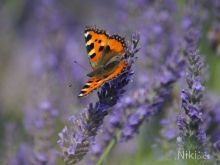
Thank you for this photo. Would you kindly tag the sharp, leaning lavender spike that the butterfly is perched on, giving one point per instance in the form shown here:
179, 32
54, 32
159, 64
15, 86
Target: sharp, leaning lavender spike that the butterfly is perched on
84, 130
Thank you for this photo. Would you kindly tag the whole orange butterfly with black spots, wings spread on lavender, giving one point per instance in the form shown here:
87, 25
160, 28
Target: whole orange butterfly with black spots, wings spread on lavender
105, 54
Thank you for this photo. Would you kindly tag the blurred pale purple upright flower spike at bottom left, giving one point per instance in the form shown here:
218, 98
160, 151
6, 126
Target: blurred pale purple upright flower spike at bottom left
41, 128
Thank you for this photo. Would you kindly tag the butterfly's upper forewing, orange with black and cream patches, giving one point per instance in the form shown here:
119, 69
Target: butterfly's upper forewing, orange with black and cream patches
96, 40
